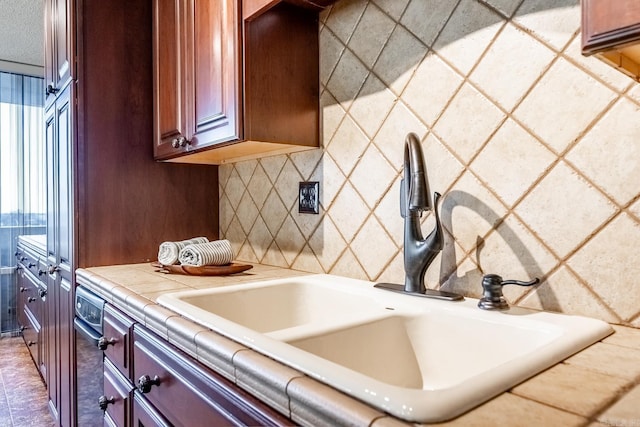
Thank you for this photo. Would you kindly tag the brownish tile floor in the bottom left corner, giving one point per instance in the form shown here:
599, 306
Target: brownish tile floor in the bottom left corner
23, 396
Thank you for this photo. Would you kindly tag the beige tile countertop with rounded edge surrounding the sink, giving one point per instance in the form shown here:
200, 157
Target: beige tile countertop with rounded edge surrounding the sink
599, 386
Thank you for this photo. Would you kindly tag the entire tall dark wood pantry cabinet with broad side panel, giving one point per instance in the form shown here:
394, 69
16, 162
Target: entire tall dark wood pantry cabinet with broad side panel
108, 201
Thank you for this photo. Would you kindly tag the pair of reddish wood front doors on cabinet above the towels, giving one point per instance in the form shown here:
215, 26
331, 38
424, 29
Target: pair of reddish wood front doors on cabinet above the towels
196, 74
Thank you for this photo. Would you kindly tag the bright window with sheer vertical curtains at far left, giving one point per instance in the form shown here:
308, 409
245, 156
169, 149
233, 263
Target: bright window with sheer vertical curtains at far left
22, 176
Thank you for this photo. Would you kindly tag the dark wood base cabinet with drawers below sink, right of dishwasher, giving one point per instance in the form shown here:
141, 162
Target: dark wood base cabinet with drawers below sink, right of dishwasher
162, 386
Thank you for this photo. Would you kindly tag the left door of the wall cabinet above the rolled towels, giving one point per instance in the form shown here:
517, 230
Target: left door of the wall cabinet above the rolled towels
169, 93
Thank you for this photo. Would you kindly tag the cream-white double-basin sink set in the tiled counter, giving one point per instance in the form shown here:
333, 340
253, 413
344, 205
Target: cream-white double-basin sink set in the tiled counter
419, 359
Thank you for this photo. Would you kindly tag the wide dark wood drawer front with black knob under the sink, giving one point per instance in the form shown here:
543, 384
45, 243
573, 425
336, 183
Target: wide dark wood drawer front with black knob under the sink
186, 393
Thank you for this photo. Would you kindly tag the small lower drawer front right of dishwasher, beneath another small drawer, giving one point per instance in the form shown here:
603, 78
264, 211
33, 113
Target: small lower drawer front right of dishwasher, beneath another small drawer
117, 392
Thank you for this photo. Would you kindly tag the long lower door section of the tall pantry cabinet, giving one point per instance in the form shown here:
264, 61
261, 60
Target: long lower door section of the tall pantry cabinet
59, 333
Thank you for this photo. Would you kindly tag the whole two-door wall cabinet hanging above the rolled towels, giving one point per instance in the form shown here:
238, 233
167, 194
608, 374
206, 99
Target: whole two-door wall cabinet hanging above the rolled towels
230, 86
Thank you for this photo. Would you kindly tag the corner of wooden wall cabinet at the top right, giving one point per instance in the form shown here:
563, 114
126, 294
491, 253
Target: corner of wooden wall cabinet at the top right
611, 31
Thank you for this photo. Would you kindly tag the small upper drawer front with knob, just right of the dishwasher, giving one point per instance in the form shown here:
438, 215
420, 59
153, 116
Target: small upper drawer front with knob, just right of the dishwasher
117, 337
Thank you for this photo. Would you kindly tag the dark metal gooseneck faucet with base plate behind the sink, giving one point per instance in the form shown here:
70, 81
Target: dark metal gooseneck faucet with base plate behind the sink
419, 252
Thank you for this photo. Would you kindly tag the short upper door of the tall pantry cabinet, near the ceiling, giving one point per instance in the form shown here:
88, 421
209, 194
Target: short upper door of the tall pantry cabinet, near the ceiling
59, 48
